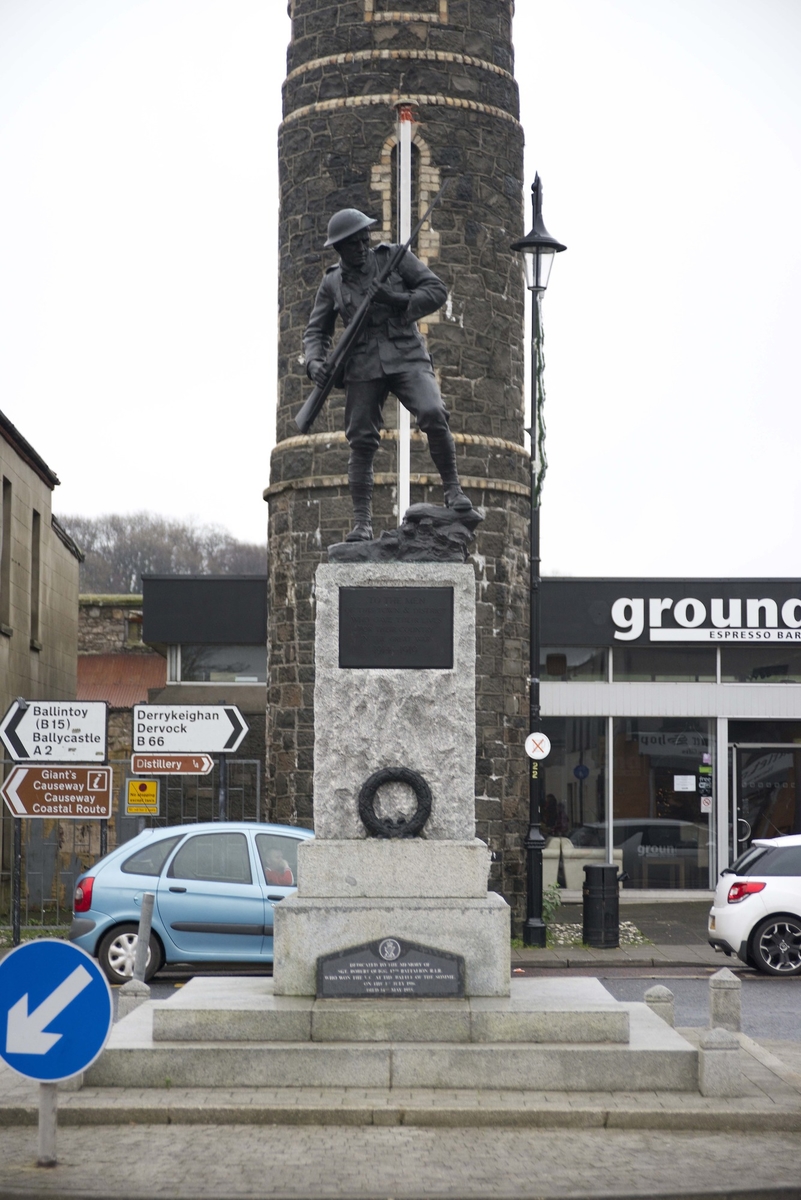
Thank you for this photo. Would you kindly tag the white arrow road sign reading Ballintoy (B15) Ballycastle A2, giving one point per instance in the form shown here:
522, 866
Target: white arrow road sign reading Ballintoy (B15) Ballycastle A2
59, 730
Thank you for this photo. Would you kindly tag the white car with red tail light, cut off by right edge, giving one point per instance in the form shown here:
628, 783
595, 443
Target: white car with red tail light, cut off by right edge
757, 908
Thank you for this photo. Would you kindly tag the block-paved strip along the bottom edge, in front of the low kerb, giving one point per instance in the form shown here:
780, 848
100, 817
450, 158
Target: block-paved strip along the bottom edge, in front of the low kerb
400, 1165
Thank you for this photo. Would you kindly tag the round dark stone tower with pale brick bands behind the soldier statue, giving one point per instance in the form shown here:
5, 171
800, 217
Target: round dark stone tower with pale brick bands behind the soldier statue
351, 64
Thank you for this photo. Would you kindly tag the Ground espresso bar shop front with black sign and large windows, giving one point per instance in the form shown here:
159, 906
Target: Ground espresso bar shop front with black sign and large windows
674, 715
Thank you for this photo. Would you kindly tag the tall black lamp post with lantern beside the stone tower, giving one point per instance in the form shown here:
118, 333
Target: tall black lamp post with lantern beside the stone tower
539, 249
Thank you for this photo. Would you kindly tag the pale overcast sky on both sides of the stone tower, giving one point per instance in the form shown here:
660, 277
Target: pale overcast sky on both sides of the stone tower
138, 280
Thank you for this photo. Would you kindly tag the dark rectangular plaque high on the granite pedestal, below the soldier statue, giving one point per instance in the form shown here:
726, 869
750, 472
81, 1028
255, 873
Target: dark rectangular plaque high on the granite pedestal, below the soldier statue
406, 628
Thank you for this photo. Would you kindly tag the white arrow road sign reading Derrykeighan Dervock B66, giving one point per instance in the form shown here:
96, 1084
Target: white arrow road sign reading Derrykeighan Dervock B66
188, 729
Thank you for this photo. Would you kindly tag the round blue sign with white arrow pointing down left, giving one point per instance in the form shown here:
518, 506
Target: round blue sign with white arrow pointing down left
56, 1011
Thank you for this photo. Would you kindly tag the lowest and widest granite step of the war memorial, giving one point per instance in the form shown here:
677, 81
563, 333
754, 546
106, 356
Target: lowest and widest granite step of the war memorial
655, 1059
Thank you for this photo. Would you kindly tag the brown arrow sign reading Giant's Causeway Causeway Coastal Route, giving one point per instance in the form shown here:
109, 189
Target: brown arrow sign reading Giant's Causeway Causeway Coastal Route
73, 794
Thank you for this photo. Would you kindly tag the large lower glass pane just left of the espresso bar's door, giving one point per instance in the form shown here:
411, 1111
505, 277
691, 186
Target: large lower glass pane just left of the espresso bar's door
664, 800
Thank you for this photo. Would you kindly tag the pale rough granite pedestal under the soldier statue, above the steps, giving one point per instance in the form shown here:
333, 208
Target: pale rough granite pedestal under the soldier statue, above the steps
395, 862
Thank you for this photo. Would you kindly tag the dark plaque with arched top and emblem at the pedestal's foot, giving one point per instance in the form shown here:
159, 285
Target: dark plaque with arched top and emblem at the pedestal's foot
390, 968
